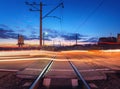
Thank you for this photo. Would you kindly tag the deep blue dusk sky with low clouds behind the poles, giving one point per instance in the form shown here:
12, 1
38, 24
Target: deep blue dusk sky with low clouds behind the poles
90, 19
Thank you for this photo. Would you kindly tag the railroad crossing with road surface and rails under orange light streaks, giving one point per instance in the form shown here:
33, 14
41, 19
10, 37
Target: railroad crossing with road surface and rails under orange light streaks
59, 69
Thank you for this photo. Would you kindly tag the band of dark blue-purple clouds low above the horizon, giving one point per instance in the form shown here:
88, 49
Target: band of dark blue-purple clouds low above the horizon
6, 33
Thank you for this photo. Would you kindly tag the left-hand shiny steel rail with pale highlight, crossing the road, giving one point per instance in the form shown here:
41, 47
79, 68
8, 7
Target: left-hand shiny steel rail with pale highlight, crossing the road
44, 71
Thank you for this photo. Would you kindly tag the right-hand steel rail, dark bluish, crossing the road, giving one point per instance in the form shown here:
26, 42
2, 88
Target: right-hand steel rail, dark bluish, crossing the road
80, 77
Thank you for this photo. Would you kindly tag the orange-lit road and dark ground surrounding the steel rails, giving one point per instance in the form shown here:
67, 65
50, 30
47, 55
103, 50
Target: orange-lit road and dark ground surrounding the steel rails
18, 69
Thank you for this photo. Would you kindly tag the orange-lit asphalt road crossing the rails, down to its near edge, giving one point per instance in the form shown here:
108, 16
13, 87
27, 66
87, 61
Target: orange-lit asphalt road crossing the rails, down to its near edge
93, 65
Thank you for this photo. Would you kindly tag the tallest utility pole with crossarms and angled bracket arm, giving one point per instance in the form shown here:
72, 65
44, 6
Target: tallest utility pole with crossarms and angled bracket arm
34, 4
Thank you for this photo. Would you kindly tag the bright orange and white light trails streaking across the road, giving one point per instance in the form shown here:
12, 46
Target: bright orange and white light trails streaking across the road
15, 57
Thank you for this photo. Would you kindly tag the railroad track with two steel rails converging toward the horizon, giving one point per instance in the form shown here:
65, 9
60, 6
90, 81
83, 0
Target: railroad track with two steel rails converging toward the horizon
38, 83
